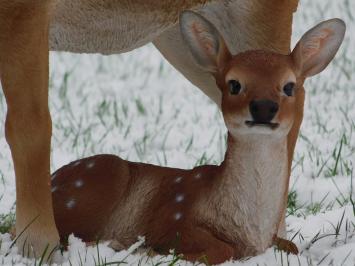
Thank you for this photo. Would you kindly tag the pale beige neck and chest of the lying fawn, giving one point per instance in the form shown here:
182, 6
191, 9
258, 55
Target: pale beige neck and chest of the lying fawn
251, 185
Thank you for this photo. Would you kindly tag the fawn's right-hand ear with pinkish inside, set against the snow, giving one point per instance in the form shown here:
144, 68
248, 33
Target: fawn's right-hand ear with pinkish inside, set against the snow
318, 47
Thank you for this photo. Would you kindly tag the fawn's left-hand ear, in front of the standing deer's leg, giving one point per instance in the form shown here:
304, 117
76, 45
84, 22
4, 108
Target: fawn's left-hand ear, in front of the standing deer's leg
205, 42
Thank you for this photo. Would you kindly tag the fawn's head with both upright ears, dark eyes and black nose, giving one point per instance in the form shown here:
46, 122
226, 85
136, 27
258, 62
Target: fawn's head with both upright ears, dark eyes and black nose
260, 88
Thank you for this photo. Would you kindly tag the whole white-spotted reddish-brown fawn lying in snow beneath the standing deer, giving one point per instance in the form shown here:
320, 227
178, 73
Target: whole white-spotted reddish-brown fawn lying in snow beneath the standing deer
218, 212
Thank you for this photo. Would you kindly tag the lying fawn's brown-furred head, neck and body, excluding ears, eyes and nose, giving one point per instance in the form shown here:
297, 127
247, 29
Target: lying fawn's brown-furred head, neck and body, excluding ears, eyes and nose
212, 212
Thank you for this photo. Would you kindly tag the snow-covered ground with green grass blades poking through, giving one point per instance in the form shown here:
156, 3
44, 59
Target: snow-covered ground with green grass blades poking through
137, 106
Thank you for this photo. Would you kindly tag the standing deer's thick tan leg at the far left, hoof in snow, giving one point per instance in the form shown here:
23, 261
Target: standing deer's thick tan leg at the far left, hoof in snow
24, 78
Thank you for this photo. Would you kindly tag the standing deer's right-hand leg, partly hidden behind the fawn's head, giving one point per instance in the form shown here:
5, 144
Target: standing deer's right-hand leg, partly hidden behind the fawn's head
256, 25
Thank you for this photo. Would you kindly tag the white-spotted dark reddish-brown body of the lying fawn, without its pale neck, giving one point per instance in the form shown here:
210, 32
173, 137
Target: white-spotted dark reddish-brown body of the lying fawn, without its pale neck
92, 219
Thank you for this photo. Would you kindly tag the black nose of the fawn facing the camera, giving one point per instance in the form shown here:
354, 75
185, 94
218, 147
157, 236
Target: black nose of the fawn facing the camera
263, 111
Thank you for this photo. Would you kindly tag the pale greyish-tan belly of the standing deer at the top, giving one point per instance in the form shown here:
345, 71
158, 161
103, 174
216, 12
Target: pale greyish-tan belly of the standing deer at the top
112, 26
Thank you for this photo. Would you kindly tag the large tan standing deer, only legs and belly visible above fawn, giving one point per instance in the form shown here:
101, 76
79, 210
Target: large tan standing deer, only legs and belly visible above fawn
110, 26
